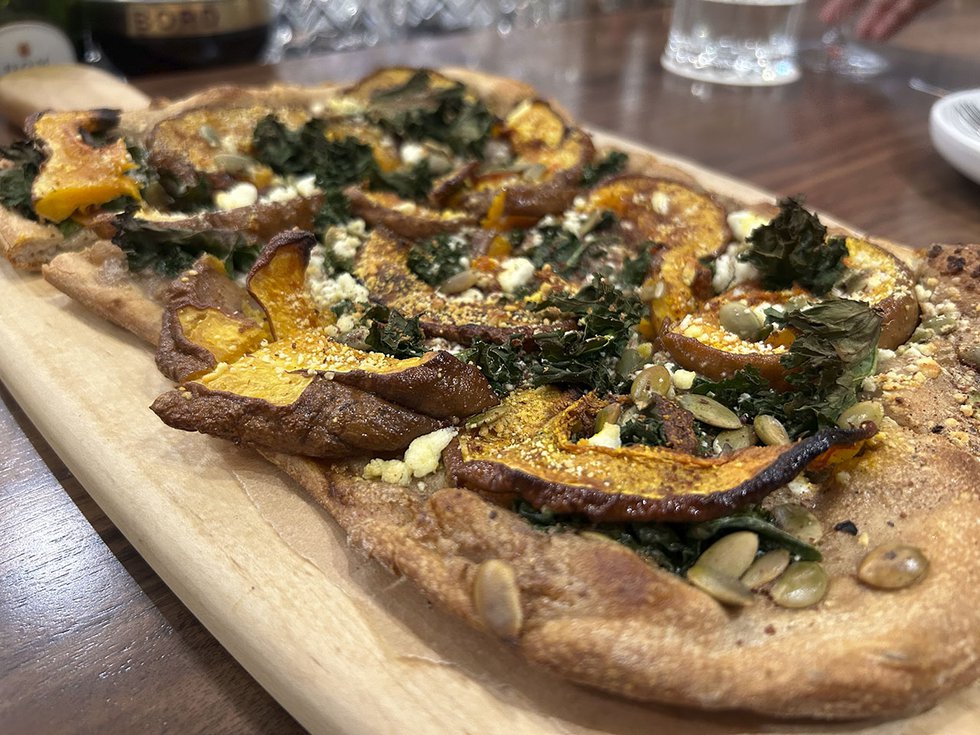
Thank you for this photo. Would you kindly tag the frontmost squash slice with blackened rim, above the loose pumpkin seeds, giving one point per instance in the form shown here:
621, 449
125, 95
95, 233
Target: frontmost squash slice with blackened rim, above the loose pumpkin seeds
530, 451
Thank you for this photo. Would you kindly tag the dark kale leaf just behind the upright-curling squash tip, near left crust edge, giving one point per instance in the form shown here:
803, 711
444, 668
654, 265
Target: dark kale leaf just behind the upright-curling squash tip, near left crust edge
168, 251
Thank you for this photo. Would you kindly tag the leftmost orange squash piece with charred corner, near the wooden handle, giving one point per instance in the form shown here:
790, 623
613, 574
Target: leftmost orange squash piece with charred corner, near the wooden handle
79, 173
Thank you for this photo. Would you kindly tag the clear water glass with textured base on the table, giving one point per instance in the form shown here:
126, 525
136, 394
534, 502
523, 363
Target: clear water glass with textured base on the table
744, 42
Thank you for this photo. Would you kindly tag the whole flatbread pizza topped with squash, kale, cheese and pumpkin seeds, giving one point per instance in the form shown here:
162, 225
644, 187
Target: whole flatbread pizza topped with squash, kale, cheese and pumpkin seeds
673, 446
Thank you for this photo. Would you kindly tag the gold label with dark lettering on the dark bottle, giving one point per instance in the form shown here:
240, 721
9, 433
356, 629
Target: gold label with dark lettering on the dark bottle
188, 19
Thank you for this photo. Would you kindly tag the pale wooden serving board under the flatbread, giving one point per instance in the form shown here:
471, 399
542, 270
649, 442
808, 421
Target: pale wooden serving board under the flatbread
340, 642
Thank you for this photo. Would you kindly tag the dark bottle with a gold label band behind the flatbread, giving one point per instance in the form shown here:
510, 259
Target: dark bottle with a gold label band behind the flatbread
153, 36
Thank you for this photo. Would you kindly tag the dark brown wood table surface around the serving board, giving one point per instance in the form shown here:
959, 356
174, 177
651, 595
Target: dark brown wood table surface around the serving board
92, 640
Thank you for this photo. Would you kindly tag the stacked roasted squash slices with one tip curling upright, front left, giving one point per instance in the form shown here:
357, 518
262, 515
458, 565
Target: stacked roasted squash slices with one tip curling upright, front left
300, 392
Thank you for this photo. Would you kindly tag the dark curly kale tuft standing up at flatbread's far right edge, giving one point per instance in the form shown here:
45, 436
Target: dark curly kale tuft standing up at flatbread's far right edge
794, 248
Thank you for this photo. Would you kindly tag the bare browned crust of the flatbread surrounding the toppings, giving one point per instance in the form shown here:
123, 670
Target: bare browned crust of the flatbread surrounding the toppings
590, 609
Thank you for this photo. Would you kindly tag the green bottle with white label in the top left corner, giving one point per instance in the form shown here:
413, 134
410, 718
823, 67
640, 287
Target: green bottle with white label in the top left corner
37, 32
